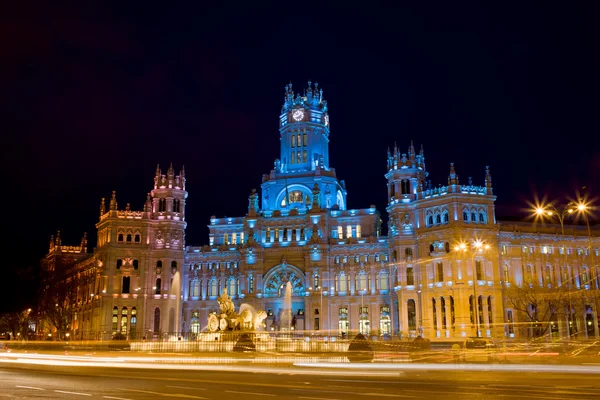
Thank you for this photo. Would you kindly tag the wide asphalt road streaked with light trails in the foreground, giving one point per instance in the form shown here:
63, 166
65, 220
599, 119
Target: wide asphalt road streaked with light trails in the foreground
221, 382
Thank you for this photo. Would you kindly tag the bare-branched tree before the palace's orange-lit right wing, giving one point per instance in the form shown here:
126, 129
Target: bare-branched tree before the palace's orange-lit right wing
538, 306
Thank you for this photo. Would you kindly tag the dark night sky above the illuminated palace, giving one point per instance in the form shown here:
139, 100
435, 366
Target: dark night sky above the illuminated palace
94, 98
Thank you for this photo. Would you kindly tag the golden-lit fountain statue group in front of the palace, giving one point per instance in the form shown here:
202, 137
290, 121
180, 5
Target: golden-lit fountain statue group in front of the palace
229, 320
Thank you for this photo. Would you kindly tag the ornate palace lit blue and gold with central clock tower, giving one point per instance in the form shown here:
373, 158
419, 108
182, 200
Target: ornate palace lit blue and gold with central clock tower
447, 268
